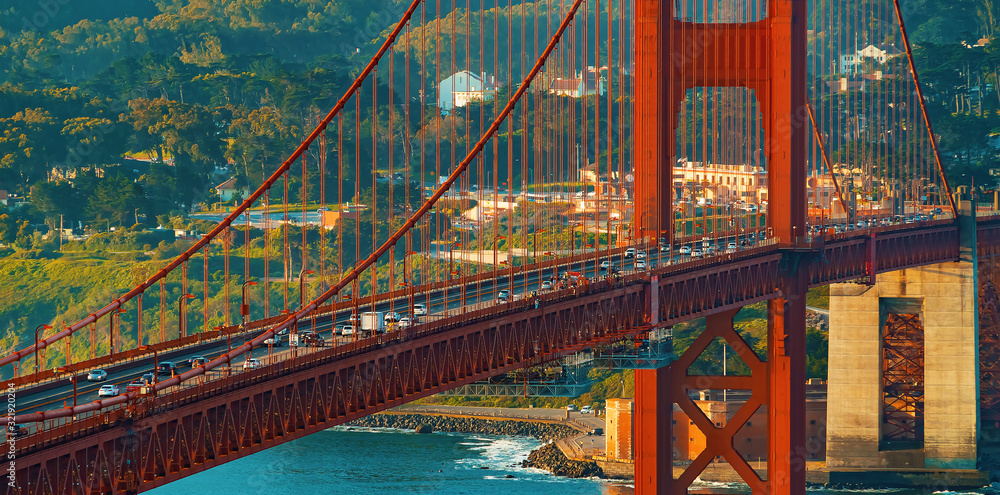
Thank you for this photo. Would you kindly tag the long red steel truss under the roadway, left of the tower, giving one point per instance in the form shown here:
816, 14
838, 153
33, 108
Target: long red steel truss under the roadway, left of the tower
188, 431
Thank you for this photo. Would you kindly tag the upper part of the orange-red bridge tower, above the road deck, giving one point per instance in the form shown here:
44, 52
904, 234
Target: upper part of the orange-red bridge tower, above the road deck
674, 55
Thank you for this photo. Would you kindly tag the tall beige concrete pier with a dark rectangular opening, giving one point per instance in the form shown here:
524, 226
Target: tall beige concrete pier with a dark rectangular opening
904, 372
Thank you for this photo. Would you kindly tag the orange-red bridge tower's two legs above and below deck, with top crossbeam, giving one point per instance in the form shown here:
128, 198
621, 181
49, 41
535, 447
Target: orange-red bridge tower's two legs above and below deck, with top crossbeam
675, 55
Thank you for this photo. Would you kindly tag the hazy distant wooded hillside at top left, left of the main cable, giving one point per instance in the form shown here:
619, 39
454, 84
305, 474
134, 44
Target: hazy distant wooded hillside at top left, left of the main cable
70, 41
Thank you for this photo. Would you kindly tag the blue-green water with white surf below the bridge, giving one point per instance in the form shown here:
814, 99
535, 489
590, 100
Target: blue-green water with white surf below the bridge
360, 461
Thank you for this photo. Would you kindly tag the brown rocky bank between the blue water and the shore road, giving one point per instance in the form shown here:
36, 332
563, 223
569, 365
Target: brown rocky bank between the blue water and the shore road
547, 457
